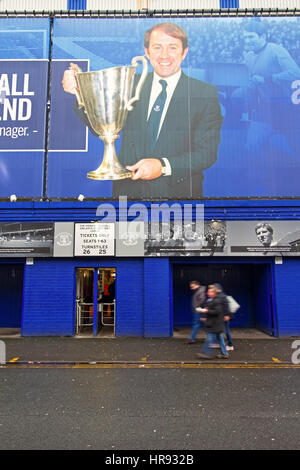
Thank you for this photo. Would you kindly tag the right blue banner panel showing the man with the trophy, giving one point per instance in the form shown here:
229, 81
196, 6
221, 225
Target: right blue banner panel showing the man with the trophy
228, 126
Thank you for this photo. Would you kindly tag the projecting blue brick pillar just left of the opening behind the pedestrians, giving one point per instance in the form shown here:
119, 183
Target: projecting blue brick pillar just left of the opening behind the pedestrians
157, 297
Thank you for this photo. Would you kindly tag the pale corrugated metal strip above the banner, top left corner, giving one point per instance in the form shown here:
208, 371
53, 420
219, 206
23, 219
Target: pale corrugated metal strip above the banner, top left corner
30, 5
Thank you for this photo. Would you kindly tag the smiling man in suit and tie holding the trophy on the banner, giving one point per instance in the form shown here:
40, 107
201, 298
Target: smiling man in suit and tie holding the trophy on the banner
167, 157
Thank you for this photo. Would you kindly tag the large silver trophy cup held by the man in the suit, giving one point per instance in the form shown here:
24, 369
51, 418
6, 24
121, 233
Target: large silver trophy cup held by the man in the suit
107, 97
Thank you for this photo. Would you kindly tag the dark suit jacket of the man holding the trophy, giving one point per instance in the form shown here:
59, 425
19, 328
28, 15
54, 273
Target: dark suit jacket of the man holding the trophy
189, 138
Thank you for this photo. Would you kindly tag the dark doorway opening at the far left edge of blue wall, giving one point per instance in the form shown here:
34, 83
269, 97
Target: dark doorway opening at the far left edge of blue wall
11, 293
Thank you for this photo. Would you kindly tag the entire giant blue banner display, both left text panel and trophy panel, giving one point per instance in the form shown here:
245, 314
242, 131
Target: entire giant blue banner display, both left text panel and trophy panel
150, 108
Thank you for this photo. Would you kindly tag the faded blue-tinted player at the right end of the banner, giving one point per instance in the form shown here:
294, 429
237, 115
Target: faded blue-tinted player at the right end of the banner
266, 100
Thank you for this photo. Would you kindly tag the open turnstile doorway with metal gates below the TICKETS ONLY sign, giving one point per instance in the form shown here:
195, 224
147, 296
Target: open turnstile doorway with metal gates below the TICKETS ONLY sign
95, 301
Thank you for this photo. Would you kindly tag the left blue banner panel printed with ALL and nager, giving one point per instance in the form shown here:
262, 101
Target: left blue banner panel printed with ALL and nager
23, 99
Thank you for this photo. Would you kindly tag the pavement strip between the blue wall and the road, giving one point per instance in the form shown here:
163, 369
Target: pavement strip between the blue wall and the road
250, 347
